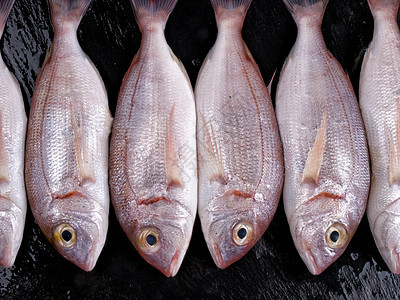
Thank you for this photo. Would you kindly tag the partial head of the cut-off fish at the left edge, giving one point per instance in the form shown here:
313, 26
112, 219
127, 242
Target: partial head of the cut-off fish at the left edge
12, 220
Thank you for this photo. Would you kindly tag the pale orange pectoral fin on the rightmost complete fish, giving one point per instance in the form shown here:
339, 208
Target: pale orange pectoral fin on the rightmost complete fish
316, 154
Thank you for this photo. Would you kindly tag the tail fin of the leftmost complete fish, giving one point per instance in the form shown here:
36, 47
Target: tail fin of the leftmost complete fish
72, 10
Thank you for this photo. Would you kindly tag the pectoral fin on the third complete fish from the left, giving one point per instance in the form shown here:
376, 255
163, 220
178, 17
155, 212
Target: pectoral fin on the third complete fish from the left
215, 164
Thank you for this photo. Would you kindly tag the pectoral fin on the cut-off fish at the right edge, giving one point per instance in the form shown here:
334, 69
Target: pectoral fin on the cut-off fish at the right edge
394, 159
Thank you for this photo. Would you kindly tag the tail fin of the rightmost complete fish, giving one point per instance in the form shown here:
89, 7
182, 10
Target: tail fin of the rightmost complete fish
307, 8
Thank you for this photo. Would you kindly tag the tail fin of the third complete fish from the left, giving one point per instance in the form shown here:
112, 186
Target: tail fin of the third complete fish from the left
228, 9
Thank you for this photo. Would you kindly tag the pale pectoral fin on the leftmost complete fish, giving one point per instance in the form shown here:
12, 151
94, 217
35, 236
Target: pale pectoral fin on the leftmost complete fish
83, 158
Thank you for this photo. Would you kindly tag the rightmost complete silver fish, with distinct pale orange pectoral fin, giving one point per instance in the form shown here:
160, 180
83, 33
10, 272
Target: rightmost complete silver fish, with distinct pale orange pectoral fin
325, 150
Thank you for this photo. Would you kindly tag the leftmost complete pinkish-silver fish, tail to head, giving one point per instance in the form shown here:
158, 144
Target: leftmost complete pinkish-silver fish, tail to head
67, 144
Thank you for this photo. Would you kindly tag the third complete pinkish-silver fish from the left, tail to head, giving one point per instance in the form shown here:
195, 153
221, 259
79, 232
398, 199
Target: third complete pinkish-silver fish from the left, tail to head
240, 153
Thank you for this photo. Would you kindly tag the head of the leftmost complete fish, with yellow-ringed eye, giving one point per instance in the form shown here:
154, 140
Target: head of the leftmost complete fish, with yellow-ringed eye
77, 227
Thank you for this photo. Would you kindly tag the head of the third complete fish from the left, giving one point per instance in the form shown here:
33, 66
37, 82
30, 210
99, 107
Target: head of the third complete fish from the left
233, 224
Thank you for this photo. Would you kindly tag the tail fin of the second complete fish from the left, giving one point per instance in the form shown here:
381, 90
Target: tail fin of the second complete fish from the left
149, 11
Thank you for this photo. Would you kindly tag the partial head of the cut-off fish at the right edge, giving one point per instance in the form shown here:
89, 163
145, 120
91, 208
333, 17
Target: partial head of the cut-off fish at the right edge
386, 230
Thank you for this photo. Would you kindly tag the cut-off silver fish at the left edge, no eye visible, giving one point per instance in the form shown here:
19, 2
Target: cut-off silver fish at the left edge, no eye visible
12, 149
